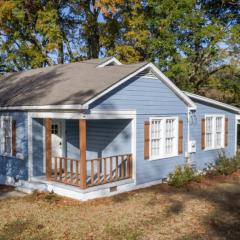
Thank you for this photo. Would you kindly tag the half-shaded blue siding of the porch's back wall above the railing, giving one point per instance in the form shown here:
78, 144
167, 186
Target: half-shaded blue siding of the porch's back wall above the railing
104, 138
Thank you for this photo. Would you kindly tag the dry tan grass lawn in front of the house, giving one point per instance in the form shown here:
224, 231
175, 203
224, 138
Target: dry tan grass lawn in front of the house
209, 210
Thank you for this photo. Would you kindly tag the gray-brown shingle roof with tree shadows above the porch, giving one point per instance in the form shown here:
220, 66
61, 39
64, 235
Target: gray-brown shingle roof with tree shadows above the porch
73, 83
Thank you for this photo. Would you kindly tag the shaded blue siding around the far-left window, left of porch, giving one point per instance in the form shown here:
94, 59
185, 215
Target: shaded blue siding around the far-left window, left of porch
11, 166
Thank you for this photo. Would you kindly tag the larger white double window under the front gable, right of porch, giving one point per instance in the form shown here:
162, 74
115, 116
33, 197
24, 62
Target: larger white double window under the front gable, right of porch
163, 137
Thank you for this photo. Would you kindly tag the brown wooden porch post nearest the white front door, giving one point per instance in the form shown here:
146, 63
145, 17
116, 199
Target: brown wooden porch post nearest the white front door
48, 146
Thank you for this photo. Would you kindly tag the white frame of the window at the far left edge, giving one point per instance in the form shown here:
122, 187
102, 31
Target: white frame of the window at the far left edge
2, 147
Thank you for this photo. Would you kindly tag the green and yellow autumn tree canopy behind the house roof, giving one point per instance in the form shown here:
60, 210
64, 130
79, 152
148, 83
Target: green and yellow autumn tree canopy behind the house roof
194, 42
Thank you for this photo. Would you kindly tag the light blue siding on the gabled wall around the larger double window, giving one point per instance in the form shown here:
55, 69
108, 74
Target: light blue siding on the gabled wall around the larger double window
149, 97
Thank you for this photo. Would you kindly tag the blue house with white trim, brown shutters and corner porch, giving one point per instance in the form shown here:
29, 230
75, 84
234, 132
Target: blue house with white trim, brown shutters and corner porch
99, 127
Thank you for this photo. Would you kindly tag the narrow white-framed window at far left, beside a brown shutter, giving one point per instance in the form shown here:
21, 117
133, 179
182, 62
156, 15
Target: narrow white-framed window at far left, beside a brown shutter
6, 135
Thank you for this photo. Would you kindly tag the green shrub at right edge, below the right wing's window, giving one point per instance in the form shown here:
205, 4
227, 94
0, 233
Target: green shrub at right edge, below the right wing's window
225, 165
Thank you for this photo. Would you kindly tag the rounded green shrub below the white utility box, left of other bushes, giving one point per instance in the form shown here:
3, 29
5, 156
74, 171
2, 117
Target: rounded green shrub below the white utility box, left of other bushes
182, 176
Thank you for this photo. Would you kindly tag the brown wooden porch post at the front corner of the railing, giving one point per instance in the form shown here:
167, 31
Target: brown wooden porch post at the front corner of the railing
83, 145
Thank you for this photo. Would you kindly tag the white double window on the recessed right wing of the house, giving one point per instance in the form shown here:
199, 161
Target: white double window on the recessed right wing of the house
214, 132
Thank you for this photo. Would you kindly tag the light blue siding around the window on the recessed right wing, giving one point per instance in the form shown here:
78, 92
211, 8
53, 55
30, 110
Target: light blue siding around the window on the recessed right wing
202, 158
